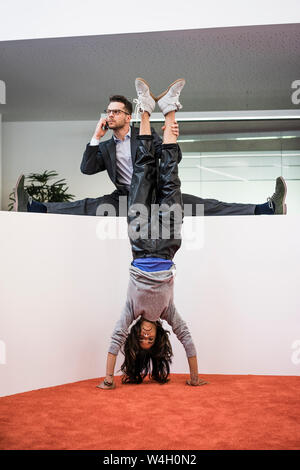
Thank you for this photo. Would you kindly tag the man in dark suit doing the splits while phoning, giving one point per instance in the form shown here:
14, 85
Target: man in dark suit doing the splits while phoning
117, 156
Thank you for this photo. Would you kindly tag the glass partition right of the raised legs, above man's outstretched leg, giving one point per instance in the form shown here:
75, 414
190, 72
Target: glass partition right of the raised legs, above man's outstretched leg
238, 161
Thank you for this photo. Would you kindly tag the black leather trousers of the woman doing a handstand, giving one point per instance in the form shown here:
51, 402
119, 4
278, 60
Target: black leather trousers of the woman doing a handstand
155, 231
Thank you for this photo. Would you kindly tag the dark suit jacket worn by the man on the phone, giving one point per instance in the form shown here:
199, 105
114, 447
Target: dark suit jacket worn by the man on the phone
103, 157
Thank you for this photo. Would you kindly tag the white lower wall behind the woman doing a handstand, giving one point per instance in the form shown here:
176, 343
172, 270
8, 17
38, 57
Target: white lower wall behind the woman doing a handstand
62, 290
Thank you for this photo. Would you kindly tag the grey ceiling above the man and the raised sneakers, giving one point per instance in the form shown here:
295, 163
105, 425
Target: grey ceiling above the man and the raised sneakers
225, 69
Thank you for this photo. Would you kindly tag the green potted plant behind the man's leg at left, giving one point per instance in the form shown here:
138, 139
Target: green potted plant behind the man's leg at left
39, 188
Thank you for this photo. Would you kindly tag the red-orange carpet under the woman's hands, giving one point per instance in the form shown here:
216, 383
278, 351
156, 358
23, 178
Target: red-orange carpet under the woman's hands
231, 412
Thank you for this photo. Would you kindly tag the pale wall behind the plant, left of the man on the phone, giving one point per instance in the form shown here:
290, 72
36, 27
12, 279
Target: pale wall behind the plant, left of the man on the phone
38, 146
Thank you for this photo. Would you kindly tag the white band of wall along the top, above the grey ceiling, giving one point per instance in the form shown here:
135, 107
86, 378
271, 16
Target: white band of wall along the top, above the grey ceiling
36, 19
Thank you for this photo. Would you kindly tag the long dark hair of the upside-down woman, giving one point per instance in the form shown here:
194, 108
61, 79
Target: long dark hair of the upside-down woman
138, 361
